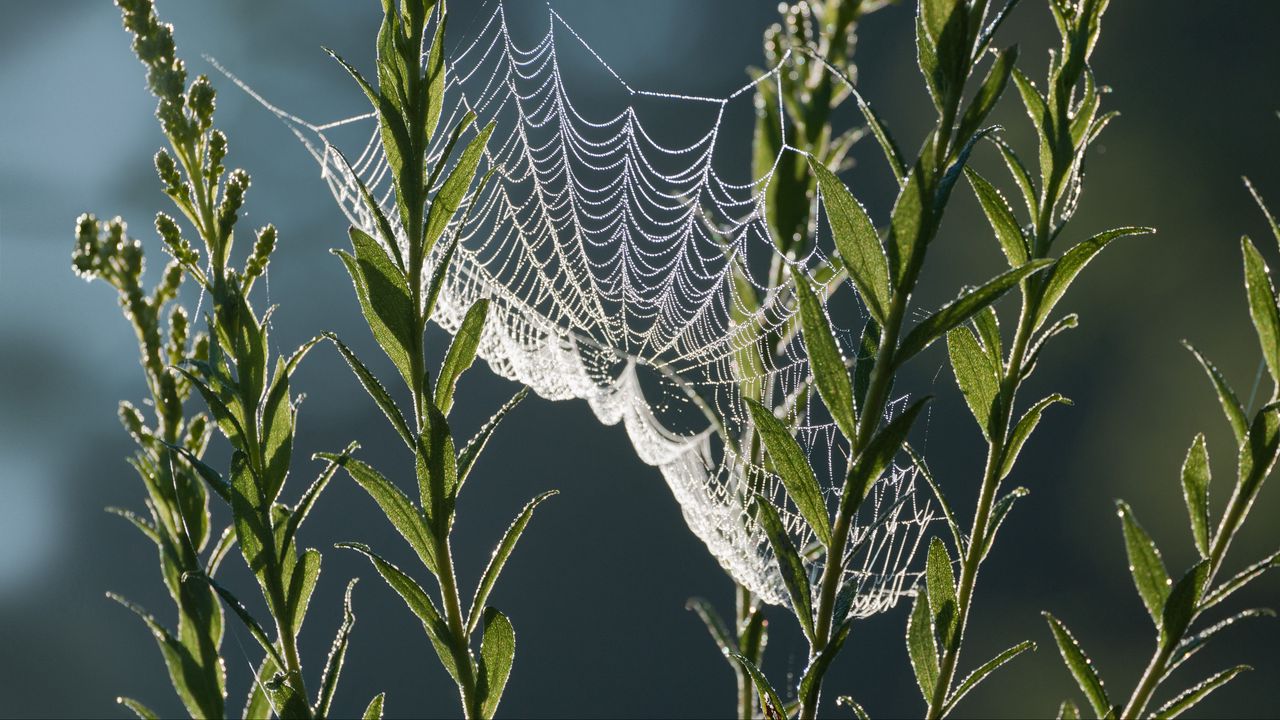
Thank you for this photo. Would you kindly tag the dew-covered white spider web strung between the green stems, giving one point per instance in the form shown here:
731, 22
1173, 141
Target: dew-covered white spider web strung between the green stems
625, 270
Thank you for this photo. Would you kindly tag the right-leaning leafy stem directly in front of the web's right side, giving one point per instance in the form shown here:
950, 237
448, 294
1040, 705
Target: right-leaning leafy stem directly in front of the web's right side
953, 39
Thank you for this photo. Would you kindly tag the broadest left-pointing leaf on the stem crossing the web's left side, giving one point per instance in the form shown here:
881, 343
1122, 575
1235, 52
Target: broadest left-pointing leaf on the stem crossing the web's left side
385, 299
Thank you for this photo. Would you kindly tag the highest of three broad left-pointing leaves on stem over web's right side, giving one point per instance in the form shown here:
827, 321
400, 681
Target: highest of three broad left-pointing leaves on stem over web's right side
857, 243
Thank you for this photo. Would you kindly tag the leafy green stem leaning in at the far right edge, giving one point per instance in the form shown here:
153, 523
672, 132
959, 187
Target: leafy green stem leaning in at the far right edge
1176, 608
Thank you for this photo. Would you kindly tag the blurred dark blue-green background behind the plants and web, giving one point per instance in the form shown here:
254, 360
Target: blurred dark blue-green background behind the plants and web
598, 587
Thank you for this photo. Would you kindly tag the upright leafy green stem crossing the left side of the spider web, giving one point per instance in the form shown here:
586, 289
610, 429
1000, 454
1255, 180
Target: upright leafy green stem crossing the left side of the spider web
399, 277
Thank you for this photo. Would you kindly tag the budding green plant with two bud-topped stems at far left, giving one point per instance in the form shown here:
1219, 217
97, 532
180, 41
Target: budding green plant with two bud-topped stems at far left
250, 404
